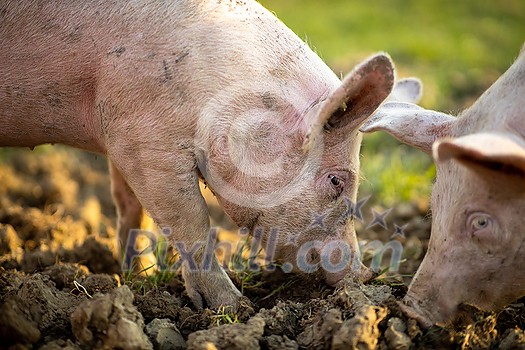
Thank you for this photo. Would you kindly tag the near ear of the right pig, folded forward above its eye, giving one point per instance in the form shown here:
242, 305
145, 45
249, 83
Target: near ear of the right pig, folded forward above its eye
502, 152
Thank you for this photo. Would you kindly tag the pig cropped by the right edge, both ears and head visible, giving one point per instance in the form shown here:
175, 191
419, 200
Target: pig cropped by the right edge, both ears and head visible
476, 252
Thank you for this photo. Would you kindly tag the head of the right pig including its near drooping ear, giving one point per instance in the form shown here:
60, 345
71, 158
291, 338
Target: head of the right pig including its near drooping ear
476, 250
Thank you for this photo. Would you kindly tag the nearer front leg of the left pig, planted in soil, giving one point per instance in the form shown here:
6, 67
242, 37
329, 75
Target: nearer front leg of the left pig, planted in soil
167, 185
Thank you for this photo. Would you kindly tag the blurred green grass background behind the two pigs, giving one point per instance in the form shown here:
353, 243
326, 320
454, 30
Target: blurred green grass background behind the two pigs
458, 48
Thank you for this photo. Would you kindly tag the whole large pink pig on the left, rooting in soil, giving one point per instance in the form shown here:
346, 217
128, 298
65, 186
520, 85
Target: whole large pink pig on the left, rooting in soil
177, 91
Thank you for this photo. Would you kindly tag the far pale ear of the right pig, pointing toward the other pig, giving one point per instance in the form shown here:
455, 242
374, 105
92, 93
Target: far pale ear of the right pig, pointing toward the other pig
410, 124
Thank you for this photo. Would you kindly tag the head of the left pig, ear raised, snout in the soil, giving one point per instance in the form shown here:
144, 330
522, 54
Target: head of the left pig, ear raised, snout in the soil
285, 164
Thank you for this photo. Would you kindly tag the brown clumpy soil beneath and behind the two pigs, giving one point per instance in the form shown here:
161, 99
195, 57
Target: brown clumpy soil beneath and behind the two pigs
61, 285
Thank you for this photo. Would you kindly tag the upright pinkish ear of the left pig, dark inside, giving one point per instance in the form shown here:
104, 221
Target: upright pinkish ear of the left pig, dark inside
360, 94
